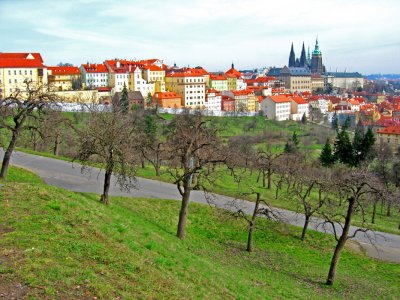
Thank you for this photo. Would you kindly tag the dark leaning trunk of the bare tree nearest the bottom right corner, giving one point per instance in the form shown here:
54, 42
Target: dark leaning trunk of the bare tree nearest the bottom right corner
342, 241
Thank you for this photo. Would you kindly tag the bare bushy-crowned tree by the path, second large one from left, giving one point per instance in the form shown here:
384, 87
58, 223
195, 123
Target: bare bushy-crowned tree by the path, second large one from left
108, 139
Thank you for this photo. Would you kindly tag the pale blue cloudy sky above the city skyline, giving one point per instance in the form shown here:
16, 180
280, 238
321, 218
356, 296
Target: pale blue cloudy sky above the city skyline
355, 35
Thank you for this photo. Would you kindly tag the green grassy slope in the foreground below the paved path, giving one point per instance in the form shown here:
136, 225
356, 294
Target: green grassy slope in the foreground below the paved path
68, 245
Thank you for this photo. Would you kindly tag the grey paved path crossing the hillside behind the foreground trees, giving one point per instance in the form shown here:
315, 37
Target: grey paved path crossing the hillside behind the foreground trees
66, 175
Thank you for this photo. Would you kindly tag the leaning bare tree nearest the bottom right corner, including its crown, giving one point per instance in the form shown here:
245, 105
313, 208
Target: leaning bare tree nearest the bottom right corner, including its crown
354, 185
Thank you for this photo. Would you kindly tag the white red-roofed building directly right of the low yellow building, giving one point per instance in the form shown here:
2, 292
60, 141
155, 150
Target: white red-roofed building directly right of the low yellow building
94, 75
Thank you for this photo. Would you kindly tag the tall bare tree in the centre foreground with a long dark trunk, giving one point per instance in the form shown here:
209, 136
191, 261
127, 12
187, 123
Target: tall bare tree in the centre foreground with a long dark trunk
192, 147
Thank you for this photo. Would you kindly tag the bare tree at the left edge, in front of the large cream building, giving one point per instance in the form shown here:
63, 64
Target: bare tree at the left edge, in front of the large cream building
19, 109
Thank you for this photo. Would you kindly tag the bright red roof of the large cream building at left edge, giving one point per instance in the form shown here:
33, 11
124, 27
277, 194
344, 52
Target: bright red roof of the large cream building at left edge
21, 60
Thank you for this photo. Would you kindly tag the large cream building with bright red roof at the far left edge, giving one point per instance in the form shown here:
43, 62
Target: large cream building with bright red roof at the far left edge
15, 68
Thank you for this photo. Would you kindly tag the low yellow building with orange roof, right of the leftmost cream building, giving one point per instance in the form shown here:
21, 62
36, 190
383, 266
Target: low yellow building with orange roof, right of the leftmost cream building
64, 78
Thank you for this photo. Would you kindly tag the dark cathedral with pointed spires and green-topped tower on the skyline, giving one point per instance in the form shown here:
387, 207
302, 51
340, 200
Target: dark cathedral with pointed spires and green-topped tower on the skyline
312, 63
